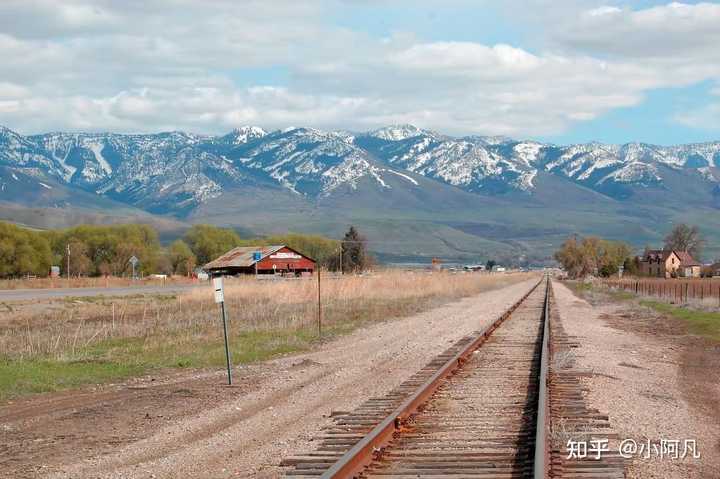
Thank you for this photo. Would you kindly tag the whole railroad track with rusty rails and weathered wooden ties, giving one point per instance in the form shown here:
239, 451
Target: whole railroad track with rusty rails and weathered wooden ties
483, 408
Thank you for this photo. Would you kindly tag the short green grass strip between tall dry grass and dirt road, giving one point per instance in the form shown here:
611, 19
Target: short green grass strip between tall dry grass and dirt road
121, 358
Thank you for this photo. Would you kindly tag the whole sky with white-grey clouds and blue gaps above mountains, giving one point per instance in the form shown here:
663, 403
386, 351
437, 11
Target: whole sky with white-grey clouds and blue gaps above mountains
555, 70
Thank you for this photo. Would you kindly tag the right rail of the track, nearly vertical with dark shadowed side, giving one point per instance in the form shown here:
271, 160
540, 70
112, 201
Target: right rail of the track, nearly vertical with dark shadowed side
542, 425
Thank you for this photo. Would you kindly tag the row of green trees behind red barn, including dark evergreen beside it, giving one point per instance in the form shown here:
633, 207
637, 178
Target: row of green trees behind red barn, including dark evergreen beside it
98, 250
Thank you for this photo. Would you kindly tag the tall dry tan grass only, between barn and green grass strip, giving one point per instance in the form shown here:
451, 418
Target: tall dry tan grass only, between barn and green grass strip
72, 326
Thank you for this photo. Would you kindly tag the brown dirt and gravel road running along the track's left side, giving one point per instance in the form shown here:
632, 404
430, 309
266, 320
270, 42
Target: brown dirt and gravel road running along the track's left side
192, 426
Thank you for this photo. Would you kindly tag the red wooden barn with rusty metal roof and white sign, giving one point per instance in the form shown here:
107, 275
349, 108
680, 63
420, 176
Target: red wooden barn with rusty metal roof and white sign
278, 259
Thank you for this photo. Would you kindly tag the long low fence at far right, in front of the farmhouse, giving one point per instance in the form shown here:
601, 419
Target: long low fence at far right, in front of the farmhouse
705, 291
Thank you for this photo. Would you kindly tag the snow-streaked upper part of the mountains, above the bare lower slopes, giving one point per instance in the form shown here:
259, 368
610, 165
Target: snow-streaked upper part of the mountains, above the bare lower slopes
176, 171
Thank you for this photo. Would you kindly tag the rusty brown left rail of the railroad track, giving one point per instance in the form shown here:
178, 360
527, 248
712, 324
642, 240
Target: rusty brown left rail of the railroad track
363, 452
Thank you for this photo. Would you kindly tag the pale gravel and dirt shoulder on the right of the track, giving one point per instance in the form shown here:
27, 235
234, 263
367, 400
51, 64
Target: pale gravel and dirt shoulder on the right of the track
654, 380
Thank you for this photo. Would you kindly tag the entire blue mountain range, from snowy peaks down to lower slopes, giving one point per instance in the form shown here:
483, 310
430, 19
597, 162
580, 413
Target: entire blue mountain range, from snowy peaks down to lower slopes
399, 173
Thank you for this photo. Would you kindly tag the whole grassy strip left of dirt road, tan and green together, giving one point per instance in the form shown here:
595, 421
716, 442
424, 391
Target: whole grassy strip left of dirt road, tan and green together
107, 337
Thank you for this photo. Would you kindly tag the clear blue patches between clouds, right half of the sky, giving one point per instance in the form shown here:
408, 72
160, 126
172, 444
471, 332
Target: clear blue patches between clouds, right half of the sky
653, 119
